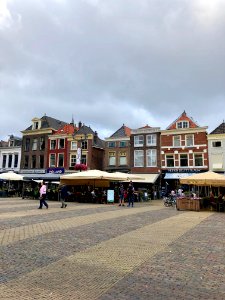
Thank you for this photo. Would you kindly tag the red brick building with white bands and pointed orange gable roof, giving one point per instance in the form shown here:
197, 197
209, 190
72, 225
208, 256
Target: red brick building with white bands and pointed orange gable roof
184, 150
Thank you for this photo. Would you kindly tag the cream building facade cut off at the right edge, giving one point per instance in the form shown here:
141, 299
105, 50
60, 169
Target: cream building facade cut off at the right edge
216, 146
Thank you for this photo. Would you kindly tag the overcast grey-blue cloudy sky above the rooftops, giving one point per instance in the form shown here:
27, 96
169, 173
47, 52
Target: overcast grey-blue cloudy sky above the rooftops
109, 62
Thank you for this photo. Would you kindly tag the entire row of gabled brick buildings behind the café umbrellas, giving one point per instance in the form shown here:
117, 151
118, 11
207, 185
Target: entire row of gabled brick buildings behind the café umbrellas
49, 147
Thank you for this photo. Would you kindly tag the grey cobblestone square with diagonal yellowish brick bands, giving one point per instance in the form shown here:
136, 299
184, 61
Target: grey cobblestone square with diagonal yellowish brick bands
89, 251
